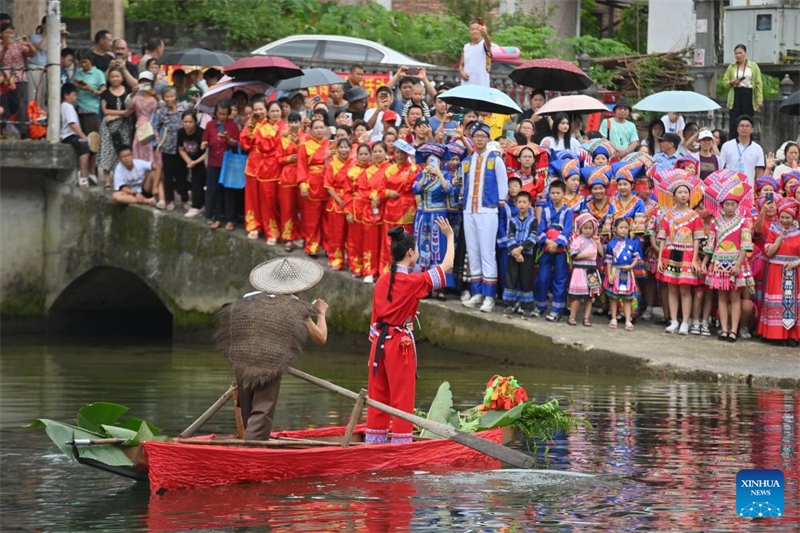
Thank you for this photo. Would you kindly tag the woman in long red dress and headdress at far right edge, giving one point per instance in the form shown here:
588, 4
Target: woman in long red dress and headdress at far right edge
780, 313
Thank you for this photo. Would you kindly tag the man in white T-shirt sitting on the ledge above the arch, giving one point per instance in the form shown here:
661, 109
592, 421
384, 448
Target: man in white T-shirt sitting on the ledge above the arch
137, 181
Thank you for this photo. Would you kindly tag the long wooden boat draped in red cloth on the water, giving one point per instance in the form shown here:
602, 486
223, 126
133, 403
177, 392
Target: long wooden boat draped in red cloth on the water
202, 463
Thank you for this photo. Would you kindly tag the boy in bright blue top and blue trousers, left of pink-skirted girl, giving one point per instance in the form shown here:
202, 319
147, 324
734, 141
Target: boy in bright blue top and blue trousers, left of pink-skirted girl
555, 228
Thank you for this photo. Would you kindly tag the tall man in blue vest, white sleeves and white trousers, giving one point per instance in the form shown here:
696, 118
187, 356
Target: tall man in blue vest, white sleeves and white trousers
485, 190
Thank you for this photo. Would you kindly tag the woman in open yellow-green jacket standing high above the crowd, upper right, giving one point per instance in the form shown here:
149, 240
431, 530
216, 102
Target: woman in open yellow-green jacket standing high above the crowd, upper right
746, 95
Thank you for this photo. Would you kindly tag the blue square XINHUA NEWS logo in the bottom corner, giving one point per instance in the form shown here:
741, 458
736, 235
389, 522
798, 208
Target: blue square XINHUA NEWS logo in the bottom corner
759, 493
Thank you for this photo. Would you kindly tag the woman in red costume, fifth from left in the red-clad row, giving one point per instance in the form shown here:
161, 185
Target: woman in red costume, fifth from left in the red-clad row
338, 185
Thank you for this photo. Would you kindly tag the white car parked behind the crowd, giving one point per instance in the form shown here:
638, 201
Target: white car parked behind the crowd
336, 48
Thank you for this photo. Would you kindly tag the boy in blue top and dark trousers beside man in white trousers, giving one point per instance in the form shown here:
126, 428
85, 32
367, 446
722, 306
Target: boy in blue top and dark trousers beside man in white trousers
518, 291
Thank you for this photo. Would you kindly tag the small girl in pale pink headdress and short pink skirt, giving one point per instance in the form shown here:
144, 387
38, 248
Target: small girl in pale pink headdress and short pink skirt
585, 282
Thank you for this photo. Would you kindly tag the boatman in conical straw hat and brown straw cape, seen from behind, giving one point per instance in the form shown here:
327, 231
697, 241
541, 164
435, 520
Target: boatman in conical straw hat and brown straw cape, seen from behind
261, 334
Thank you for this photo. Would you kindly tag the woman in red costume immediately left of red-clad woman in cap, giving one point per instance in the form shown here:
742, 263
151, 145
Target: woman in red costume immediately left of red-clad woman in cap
369, 187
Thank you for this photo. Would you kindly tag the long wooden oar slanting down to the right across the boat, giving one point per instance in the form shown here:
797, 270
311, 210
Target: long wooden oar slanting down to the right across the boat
492, 449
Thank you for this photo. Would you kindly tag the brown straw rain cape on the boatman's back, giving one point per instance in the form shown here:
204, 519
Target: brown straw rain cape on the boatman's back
261, 335
